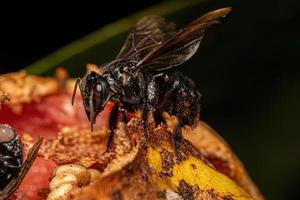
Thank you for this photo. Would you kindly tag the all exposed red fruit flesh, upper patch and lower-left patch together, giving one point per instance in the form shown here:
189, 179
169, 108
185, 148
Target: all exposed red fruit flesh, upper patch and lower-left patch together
46, 118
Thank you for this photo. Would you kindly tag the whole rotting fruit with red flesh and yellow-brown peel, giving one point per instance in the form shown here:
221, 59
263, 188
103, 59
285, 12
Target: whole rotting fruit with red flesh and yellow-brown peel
40, 106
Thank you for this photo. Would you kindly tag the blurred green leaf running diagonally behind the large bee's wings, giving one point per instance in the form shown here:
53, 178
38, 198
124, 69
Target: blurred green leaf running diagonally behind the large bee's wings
103, 44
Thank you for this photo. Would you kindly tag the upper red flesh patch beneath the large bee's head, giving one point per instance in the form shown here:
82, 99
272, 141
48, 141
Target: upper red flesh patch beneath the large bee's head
47, 117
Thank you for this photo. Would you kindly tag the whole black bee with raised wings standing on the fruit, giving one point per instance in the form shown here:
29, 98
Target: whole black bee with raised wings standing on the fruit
142, 77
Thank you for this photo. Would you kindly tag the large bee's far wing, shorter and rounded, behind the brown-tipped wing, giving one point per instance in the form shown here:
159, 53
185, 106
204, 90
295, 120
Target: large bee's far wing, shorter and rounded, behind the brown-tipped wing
148, 33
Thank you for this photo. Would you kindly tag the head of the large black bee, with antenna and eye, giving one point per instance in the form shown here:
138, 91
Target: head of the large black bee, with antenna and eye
95, 93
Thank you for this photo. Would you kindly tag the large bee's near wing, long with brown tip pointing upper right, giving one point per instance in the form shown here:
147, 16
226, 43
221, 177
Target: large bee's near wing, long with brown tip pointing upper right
181, 46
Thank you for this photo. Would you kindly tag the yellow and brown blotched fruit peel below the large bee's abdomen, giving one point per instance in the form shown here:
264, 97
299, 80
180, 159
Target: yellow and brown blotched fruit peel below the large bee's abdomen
156, 169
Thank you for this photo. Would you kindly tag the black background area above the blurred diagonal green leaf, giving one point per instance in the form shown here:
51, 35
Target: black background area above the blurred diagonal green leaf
30, 32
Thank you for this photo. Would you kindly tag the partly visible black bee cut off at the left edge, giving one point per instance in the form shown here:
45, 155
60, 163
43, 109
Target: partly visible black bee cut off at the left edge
12, 167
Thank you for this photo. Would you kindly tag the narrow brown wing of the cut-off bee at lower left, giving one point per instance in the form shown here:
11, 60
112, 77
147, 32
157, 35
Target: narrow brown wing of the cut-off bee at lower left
8, 191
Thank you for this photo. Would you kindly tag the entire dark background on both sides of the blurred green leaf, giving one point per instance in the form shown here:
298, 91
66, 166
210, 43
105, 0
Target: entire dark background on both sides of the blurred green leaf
246, 69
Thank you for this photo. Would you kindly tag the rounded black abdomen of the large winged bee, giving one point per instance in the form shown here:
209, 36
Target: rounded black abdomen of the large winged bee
176, 94
